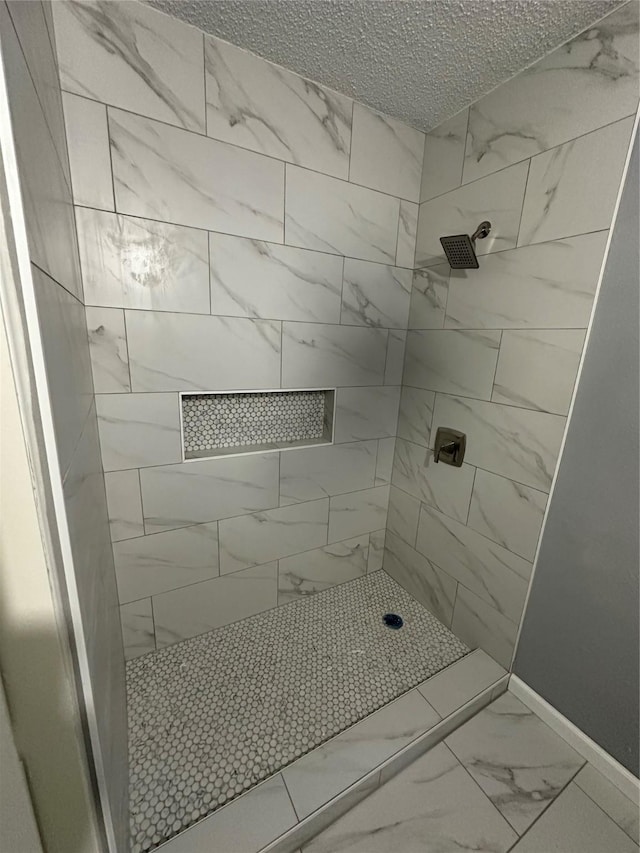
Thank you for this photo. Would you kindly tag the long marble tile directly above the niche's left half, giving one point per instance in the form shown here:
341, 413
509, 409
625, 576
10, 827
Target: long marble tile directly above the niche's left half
170, 352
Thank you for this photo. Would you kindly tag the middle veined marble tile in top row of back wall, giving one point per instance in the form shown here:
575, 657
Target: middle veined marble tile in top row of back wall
255, 104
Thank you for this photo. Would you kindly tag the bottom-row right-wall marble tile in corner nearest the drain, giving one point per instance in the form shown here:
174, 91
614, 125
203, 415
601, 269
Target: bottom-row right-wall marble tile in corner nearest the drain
433, 588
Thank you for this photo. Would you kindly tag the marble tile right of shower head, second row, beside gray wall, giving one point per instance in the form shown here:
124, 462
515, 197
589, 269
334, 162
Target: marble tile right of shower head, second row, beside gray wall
572, 189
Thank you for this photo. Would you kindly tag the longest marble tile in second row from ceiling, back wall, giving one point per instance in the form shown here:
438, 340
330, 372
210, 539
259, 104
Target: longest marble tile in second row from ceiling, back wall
161, 172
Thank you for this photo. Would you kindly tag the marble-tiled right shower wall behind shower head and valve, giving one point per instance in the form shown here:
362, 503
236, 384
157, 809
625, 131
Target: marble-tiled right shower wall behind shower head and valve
494, 352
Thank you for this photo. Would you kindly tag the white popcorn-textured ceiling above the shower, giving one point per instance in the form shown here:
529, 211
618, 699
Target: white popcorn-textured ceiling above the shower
418, 60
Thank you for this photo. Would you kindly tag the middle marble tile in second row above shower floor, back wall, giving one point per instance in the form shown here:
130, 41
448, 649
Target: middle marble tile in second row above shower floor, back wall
252, 539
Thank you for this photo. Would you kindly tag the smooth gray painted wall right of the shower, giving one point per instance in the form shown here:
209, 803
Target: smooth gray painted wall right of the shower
579, 643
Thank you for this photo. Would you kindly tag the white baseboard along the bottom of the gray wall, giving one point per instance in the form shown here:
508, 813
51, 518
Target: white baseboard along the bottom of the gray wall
588, 749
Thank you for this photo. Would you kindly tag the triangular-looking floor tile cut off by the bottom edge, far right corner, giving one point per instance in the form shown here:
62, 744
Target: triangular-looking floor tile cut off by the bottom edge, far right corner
575, 824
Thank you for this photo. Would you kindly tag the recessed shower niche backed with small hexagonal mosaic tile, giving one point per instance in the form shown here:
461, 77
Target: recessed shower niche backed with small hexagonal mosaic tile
233, 422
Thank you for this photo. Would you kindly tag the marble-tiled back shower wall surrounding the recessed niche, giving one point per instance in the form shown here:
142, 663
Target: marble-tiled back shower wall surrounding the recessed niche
240, 228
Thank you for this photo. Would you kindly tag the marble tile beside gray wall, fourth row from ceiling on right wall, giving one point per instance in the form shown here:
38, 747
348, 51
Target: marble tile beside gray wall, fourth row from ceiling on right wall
538, 369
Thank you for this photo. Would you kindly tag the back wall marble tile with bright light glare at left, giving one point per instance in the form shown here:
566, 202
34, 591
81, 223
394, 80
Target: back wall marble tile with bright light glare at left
138, 263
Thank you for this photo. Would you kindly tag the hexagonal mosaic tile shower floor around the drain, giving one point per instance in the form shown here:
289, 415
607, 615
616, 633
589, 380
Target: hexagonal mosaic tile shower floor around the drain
212, 716
